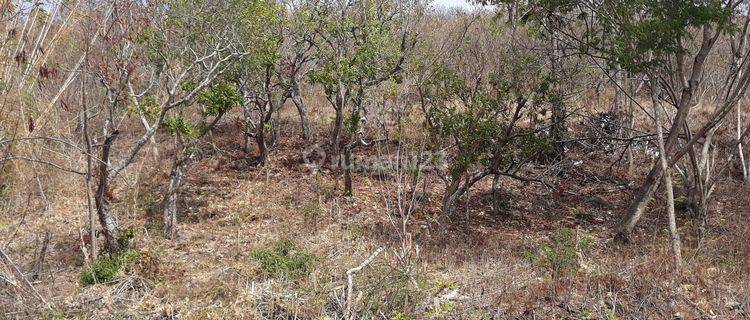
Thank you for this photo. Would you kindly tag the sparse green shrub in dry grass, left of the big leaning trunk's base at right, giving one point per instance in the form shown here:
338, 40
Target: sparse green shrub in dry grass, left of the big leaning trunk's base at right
560, 256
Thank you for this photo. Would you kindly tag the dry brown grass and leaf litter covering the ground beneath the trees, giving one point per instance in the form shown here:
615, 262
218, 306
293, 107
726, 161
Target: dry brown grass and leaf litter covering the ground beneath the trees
479, 269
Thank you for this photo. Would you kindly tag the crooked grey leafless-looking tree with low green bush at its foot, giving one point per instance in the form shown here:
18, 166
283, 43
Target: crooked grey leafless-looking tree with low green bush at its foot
151, 86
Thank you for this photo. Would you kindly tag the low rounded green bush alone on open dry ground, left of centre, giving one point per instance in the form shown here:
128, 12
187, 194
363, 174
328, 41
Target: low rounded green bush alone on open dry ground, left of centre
284, 259
